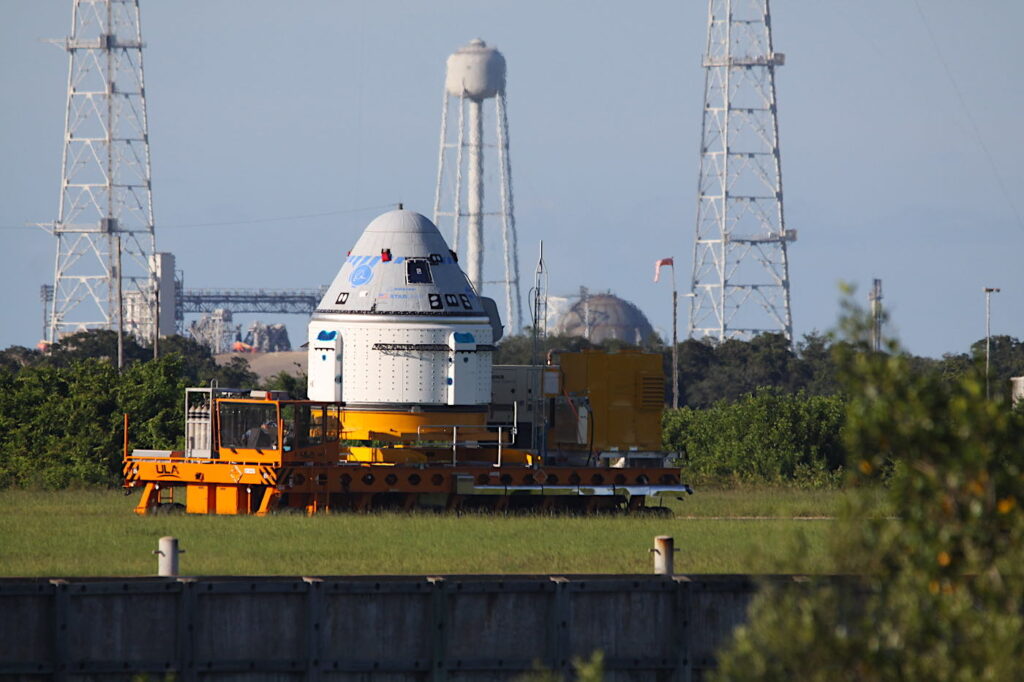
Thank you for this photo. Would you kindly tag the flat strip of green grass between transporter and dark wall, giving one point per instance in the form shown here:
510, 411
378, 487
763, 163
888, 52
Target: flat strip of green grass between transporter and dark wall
94, 533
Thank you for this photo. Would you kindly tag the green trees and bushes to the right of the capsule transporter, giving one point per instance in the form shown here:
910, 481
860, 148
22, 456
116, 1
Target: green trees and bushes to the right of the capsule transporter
765, 411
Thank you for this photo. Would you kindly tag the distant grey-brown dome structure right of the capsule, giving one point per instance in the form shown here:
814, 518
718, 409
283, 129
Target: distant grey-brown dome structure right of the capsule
601, 318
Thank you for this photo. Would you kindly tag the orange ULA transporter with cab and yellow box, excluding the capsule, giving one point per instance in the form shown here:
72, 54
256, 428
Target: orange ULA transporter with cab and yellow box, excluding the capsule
582, 434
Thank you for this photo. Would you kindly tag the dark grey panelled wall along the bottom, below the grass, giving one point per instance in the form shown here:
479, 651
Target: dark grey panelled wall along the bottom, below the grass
395, 629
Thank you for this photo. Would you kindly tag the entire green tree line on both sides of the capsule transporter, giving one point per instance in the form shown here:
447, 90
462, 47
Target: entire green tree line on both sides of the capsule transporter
759, 411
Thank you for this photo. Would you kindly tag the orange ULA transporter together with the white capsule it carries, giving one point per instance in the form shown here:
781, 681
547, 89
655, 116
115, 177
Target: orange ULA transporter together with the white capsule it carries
408, 410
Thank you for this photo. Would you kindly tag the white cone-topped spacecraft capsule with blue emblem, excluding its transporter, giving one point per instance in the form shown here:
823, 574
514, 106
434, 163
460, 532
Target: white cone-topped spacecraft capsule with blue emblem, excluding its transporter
401, 329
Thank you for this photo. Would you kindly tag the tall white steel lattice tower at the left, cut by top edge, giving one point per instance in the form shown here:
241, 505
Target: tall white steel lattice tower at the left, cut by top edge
106, 244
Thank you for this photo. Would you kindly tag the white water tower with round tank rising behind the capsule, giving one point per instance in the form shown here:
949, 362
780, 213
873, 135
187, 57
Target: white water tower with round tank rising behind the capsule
477, 73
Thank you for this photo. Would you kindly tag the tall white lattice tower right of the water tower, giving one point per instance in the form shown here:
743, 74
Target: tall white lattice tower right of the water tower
741, 284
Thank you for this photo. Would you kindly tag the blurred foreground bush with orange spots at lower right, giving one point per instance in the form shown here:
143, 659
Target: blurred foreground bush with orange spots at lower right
942, 589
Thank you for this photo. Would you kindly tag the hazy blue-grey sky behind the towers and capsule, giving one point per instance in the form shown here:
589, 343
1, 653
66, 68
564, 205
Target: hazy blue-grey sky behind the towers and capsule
900, 124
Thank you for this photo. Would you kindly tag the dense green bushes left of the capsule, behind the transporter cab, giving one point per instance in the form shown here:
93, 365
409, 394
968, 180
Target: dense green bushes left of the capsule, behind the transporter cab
62, 413
